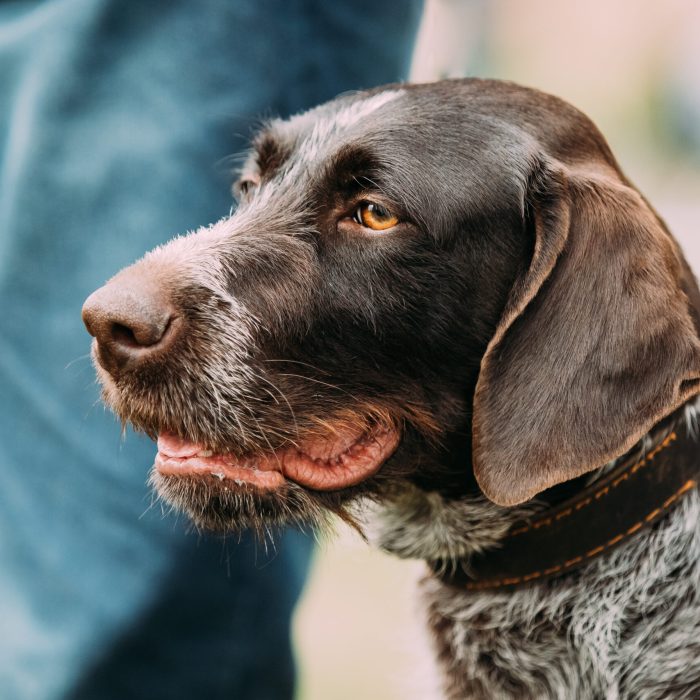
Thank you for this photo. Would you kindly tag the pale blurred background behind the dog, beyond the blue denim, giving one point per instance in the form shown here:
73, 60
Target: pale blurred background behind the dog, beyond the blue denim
634, 67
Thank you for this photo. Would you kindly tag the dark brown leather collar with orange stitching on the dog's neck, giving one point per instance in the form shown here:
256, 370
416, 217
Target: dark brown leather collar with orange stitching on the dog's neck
630, 498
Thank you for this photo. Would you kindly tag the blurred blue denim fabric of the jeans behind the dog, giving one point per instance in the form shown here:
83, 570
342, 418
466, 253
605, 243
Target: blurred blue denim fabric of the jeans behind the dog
116, 117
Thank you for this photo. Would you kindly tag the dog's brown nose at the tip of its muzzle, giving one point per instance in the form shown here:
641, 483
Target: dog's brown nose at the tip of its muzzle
131, 322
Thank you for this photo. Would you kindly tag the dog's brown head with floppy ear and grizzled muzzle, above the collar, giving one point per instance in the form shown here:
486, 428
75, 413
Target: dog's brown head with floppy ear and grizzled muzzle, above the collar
449, 284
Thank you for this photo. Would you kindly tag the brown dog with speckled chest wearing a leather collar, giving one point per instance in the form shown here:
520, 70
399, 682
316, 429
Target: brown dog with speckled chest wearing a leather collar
448, 300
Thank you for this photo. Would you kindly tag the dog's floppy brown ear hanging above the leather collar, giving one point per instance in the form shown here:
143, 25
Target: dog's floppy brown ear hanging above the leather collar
596, 343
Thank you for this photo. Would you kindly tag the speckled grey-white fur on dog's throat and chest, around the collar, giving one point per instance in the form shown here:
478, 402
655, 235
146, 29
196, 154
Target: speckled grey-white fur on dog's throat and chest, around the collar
623, 627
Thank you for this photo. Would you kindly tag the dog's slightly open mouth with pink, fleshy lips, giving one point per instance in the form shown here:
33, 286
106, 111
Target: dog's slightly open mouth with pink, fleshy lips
329, 463
